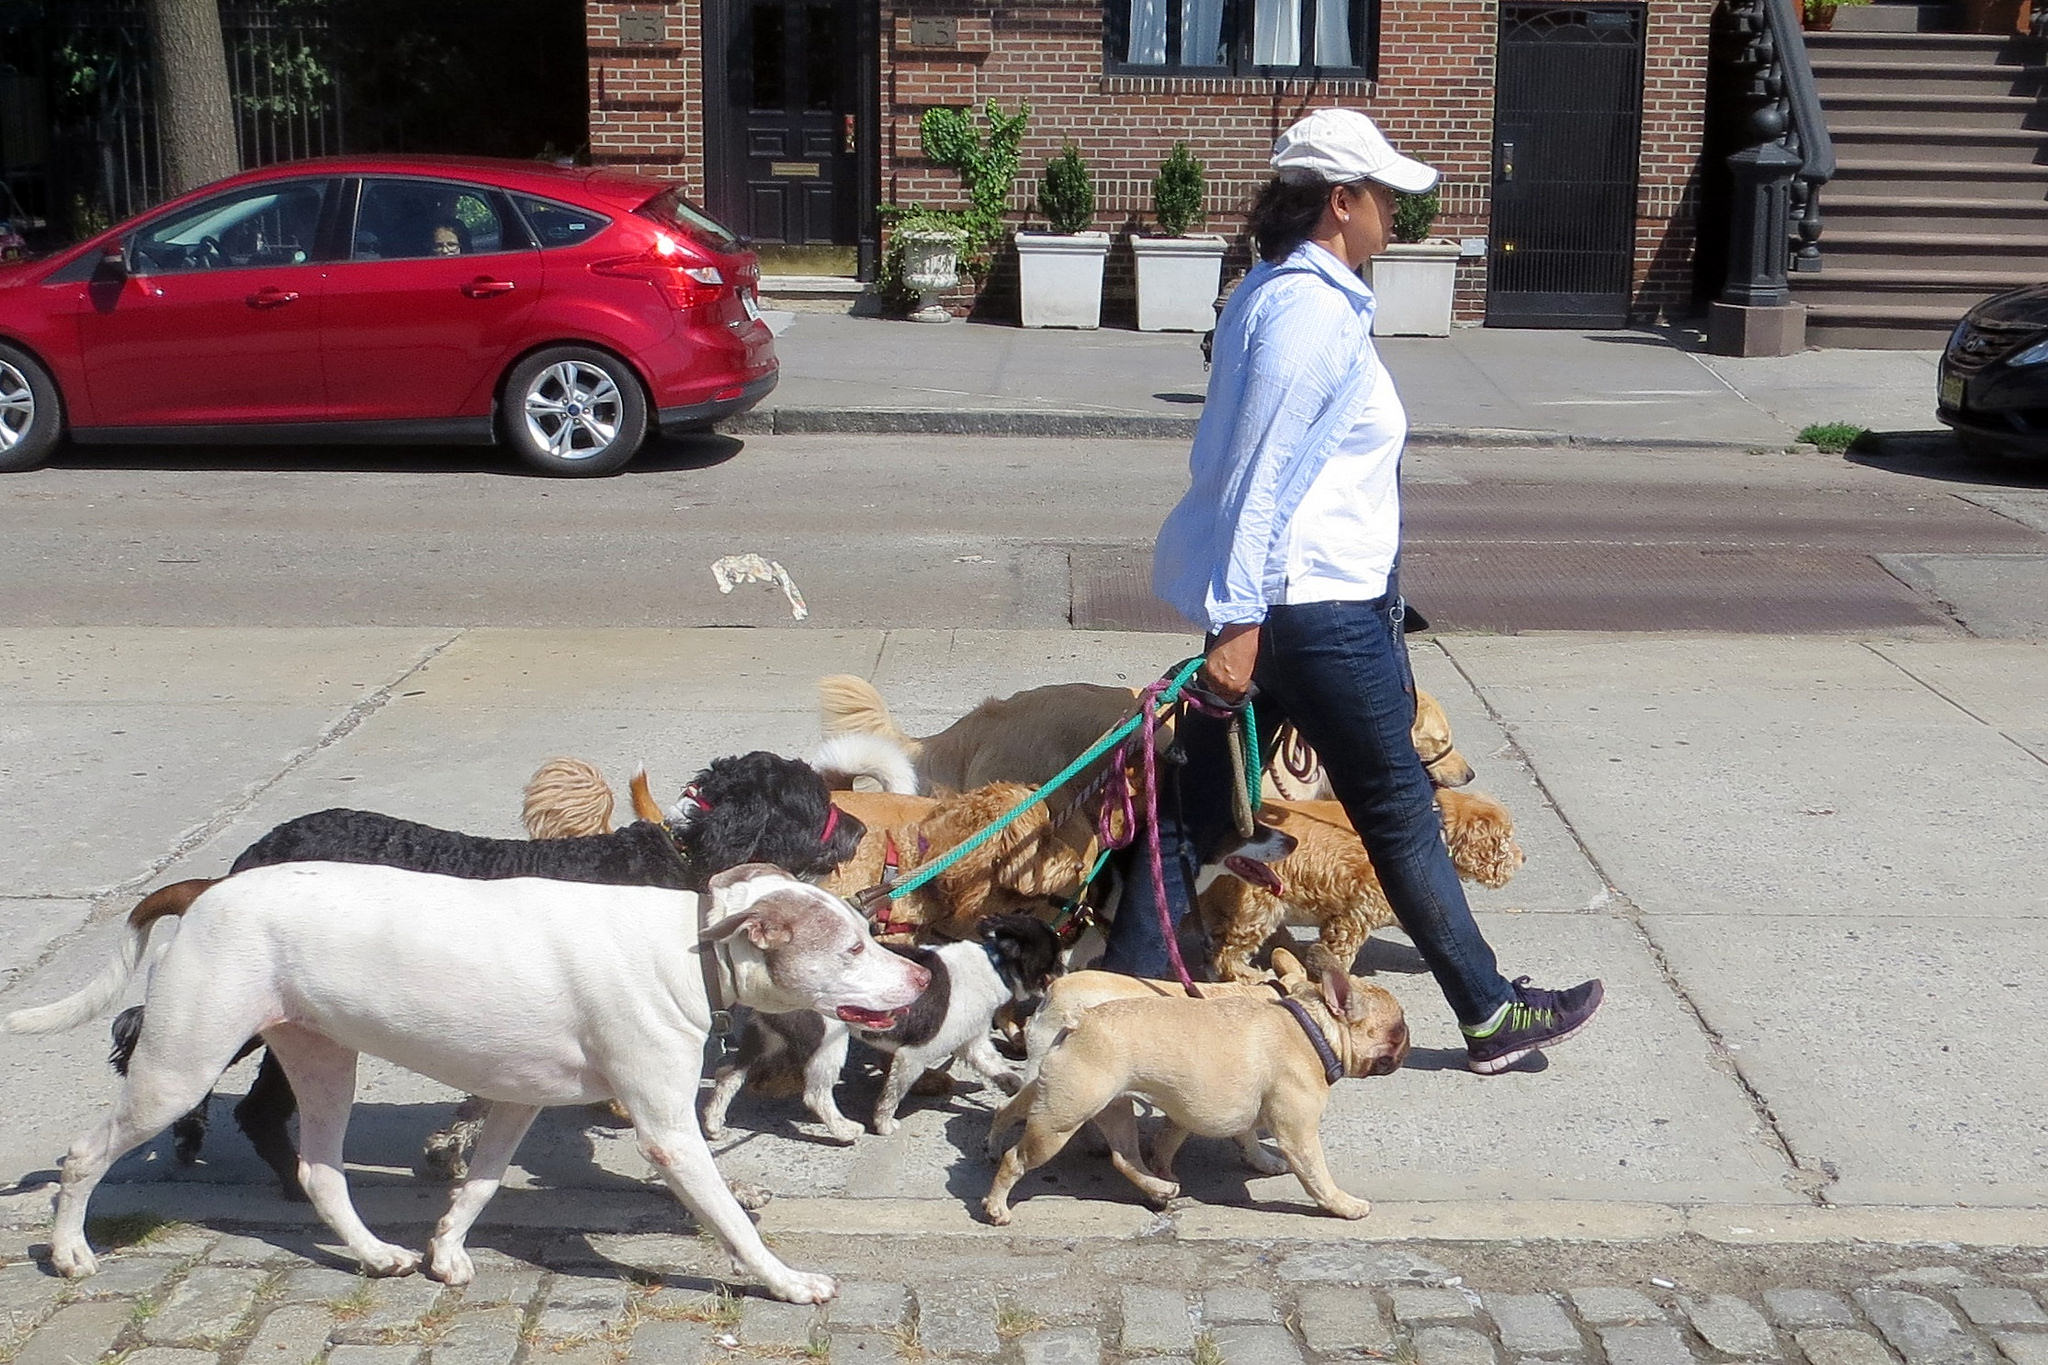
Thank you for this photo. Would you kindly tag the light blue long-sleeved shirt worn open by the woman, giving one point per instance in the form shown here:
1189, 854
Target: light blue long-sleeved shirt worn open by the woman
1291, 373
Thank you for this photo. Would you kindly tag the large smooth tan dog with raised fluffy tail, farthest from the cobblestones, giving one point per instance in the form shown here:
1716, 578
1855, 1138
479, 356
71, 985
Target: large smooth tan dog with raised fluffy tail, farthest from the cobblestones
1031, 736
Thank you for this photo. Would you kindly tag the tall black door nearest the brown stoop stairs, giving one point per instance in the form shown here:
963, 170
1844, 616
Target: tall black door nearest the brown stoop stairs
1568, 132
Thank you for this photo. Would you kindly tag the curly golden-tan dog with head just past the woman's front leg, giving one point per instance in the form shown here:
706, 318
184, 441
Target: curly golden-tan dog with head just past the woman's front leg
1330, 883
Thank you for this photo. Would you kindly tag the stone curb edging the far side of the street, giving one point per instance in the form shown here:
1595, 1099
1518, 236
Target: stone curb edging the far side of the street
1148, 427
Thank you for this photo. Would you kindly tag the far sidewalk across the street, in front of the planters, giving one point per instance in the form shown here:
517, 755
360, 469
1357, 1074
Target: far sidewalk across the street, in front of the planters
1480, 386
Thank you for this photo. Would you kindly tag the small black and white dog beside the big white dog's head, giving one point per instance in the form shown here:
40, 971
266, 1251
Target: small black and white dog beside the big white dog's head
1013, 961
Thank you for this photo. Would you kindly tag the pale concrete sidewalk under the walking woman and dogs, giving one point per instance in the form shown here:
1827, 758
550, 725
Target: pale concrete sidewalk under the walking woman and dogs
1795, 863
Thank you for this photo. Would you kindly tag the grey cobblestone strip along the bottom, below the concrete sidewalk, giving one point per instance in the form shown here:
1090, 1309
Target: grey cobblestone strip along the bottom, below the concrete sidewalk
185, 1296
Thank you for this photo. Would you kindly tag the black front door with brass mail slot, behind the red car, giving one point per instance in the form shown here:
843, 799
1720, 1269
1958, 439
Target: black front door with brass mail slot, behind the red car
783, 91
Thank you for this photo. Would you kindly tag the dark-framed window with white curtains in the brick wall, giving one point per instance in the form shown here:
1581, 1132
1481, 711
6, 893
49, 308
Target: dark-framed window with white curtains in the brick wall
1242, 38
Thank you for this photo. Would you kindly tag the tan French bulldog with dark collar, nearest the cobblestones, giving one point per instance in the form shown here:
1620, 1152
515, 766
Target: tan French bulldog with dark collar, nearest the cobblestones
1218, 1067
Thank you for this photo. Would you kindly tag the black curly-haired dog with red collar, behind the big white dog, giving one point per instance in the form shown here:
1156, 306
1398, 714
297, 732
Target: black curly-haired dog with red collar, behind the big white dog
755, 807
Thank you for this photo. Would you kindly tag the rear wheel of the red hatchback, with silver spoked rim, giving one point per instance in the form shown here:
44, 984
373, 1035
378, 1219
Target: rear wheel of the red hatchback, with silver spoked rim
574, 412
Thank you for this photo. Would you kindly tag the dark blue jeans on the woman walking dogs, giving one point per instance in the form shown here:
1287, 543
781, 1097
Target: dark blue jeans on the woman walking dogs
1340, 672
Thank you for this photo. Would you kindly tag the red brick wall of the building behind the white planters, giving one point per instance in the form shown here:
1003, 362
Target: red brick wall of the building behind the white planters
1435, 97
